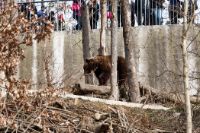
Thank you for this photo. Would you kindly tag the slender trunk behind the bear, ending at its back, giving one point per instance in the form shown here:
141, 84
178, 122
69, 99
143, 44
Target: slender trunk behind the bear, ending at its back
102, 50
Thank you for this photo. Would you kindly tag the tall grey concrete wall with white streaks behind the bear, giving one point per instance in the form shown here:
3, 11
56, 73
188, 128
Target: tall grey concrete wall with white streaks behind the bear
157, 52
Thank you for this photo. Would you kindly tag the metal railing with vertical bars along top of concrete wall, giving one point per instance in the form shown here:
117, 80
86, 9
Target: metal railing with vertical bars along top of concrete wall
66, 16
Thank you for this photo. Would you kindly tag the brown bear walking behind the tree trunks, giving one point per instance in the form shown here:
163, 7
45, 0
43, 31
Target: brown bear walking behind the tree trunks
101, 66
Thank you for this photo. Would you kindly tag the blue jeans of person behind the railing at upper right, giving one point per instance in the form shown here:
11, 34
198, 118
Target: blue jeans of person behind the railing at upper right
157, 16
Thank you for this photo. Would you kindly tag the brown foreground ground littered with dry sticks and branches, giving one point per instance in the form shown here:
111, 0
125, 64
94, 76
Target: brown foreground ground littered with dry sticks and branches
58, 115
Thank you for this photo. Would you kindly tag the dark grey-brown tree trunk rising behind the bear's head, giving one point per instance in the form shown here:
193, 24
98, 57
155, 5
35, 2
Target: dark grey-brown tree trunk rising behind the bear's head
86, 38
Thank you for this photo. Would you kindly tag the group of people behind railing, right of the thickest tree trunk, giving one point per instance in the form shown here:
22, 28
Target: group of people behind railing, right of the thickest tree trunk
150, 12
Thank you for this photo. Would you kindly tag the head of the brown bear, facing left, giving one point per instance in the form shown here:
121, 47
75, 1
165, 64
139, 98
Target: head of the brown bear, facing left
90, 65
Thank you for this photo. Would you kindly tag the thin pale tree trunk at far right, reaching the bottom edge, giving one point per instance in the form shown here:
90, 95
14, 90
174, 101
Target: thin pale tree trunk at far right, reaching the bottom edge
185, 69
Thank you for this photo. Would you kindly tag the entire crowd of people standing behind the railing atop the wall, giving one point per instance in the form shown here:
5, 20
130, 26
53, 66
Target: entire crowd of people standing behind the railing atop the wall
143, 12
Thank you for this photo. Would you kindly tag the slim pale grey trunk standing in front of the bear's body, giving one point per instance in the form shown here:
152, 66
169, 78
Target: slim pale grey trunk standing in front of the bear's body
114, 85
